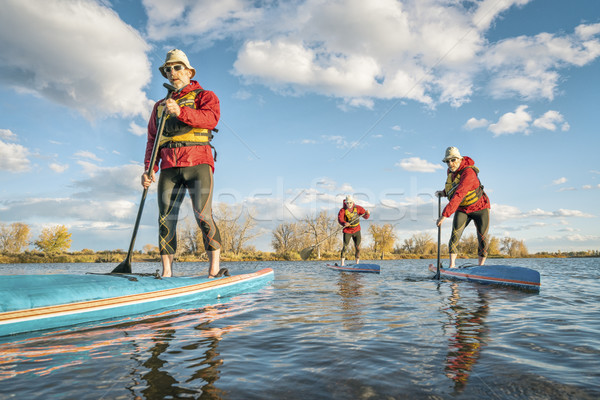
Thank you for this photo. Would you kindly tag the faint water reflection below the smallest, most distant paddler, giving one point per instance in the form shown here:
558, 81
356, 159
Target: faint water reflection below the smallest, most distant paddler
350, 291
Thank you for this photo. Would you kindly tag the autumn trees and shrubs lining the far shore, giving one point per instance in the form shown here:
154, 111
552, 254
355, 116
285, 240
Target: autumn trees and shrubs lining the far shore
288, 239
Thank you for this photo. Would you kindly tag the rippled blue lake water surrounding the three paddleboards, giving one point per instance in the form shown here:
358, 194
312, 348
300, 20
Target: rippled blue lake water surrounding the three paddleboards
314, 333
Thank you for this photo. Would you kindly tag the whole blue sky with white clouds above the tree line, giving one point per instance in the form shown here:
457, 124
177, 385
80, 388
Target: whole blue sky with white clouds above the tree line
319, 98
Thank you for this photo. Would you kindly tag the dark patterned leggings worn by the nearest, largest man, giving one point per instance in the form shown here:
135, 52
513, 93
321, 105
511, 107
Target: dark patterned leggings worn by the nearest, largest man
172, 184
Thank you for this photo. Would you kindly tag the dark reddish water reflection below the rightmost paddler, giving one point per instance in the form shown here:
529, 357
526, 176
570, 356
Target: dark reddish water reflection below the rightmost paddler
467, 333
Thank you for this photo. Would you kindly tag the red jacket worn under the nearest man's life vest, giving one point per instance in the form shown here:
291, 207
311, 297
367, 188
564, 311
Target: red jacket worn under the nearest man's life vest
206, 115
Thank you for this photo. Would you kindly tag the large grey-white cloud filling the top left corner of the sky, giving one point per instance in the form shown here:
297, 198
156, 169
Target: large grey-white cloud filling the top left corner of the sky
71, 52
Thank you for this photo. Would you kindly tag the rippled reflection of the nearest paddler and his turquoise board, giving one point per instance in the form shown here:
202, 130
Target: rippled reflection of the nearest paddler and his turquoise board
156, 345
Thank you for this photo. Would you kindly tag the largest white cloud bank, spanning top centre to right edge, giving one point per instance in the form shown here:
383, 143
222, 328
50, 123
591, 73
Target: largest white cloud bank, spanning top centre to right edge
428, 51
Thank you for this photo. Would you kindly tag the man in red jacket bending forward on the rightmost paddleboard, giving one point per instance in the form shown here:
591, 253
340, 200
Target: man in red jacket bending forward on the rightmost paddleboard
467, 201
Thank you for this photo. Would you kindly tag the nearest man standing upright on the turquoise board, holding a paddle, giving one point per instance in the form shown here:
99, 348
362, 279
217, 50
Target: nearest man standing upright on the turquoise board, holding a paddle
186, 159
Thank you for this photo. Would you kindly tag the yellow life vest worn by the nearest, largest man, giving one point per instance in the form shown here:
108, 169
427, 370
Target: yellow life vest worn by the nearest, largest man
179, 134
